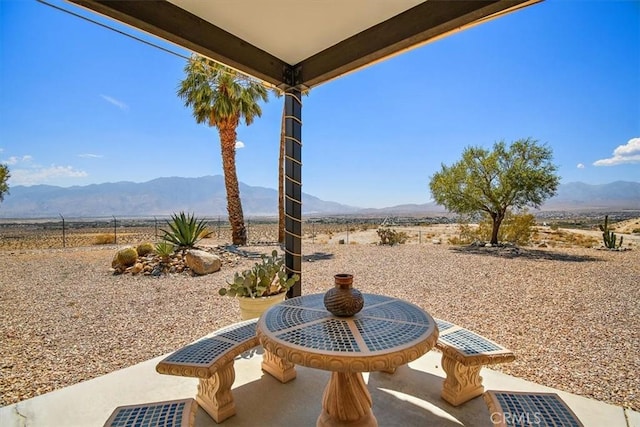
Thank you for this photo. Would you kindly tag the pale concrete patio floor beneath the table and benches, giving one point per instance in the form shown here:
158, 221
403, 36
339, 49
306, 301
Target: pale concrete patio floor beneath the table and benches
410, 397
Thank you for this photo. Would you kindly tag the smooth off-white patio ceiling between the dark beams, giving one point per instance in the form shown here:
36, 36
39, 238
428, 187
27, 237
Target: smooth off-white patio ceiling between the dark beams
294, 30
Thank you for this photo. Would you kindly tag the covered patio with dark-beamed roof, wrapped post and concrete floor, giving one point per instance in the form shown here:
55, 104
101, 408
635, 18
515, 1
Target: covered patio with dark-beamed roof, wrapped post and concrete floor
278, 43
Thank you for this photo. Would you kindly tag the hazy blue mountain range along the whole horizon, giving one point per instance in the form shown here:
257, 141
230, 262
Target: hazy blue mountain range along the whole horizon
206, 196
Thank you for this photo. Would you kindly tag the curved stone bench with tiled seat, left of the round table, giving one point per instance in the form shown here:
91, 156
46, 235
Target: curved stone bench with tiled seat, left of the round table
211, 361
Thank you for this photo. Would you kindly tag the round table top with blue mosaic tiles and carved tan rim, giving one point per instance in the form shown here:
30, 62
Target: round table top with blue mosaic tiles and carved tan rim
387, 333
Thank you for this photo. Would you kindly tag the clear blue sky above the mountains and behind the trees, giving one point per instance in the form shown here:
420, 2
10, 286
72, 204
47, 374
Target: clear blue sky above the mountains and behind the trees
80, 104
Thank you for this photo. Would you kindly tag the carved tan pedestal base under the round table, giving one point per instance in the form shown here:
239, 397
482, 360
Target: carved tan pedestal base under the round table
346, 402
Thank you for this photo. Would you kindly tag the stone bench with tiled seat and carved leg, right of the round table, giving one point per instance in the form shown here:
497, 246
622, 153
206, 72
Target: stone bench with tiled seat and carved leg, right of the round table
463, 355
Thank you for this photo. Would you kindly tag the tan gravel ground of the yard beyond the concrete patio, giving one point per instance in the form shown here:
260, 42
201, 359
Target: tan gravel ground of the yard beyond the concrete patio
572, 316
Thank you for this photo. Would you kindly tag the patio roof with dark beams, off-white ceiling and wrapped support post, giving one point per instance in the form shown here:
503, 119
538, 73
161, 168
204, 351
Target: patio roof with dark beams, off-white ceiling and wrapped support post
298, 44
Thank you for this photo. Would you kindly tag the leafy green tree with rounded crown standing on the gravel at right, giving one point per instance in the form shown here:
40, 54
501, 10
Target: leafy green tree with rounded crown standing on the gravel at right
493, 181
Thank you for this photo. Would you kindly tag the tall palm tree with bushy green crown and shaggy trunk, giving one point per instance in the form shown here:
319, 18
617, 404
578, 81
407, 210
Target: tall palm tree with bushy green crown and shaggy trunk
222, 97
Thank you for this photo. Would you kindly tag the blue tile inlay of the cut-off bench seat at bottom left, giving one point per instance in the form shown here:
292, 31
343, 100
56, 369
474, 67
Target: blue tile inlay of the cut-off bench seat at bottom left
161, 415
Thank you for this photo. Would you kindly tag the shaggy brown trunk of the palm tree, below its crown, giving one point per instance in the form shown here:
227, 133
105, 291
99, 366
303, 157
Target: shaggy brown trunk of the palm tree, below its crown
234, 206
